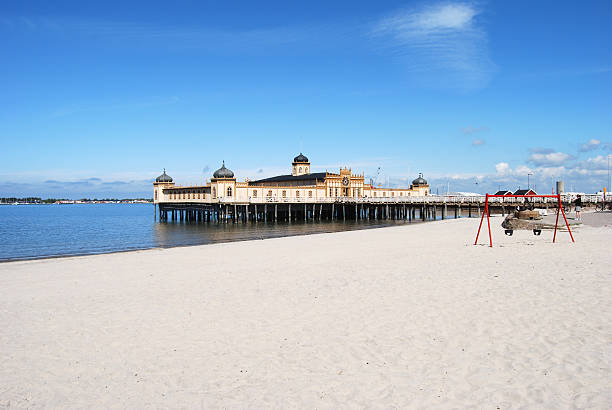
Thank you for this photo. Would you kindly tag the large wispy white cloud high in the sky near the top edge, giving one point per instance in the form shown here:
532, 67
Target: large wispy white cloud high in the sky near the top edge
442, 39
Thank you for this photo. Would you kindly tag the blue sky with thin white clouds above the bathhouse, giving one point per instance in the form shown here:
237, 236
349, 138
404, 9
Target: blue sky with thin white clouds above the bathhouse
98, 98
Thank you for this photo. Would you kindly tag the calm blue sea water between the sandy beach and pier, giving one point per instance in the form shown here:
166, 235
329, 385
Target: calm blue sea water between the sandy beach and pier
38, 231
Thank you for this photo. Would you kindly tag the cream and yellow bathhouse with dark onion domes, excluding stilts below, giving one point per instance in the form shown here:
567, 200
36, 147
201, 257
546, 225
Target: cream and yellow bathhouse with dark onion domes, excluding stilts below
301, 185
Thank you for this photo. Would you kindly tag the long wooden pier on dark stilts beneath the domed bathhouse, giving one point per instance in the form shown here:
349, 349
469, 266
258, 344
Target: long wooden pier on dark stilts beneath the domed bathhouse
342, 209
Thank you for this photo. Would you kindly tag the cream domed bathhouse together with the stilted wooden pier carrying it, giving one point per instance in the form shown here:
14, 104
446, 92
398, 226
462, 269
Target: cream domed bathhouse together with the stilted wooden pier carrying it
306, 195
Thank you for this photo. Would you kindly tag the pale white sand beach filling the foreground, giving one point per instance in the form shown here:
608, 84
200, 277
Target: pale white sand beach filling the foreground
412, 316
